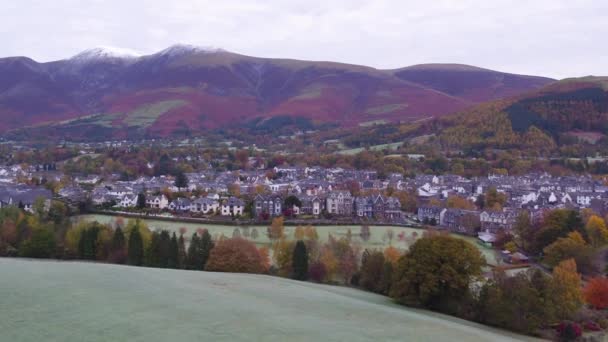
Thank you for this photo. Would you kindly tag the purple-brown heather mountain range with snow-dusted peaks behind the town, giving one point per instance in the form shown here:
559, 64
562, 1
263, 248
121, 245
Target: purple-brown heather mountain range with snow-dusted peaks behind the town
185, 90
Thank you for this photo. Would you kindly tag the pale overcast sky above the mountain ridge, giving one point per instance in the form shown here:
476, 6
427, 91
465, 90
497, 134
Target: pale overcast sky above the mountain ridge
555, 38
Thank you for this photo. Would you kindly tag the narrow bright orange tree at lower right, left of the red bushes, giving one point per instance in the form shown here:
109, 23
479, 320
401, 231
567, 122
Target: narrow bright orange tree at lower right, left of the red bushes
565, 289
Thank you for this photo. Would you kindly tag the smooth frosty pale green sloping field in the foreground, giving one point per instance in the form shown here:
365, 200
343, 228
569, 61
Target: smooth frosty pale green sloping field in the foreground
75, 301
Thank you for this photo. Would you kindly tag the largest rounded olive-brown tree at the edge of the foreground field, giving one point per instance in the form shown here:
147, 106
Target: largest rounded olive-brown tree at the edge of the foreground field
436, 269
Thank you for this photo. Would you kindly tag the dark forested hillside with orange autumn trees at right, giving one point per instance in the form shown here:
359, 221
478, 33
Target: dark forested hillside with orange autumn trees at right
568, 113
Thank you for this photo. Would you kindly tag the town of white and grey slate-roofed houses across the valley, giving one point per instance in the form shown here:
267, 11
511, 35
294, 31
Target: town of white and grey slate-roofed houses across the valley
480, 206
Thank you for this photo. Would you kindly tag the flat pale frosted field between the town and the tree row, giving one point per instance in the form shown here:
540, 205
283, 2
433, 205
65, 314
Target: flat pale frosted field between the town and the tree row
379, 238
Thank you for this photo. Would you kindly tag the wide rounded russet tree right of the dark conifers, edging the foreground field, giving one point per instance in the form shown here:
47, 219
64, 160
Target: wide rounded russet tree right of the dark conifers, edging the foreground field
235, 255
